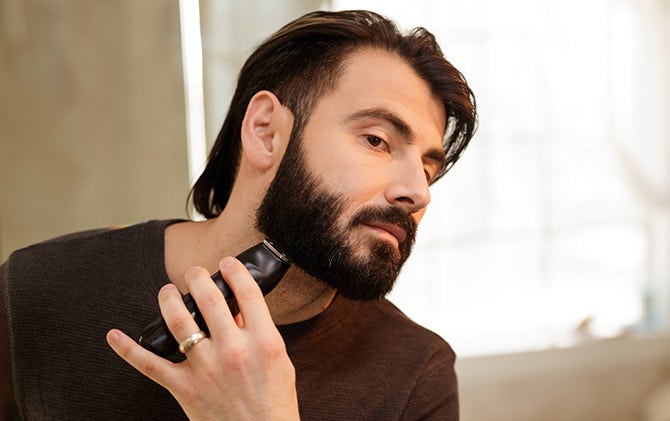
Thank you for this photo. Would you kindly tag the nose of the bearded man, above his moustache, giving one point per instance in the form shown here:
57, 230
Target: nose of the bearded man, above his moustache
408, 187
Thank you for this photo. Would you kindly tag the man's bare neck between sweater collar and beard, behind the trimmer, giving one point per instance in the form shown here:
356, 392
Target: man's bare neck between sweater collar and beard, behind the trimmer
298, 296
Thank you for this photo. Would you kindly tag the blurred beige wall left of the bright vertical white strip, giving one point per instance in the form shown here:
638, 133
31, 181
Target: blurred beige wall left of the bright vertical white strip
91, 116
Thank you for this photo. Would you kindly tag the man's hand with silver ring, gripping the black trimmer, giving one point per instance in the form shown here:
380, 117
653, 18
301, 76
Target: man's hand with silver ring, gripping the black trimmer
242, 371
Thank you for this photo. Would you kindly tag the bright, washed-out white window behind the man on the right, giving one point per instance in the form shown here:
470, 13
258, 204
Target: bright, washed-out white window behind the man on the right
555, 226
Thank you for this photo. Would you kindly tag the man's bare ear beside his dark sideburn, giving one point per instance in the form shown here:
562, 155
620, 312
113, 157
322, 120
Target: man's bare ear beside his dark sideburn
266, 130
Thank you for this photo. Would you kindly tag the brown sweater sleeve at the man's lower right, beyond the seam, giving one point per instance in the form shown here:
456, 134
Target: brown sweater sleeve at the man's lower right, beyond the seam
435, 395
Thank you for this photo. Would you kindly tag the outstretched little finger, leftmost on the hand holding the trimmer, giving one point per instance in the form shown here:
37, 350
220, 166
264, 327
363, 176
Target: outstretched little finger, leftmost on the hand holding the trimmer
156, 368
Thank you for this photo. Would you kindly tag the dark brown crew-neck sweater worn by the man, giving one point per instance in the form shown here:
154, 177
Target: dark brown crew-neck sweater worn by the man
59, 298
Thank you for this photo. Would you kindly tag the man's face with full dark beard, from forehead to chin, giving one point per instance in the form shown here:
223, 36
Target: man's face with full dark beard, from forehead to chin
348, 196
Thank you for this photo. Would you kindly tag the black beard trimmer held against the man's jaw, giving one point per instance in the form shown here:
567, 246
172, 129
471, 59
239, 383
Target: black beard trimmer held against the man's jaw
267, 265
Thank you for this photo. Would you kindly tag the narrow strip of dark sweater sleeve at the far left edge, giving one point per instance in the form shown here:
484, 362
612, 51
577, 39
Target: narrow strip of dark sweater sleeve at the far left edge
8, 408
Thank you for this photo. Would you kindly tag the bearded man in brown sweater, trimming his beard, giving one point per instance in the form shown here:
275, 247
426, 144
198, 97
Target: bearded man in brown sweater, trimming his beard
338, 127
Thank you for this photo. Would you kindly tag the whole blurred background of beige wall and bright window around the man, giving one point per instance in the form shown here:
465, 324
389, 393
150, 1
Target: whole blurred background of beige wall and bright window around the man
544, 258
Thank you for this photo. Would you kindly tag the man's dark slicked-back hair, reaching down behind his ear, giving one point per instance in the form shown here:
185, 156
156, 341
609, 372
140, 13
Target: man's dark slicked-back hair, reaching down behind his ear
303, 61
